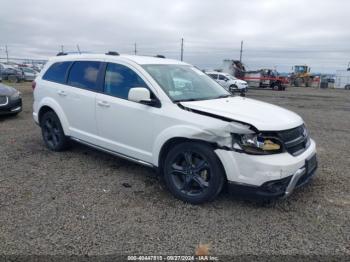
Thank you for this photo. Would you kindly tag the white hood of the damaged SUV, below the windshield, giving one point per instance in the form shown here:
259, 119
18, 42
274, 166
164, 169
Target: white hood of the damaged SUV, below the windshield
263, 116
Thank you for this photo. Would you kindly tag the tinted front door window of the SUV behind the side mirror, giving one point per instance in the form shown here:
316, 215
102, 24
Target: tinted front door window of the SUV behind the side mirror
119, 79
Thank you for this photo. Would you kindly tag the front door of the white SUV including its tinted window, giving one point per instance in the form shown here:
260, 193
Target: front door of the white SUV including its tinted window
124, 126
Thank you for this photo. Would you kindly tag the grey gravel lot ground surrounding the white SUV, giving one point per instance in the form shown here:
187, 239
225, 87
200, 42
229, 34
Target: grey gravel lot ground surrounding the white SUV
79, 201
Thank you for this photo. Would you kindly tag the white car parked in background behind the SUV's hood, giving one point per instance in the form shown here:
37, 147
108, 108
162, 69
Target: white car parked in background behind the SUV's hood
229, 82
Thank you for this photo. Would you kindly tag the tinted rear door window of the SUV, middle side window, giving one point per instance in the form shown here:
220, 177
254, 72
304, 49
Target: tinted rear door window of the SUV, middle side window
84, 74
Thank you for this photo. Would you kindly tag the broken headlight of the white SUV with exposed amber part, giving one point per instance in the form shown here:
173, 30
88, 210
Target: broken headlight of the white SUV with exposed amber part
257, 144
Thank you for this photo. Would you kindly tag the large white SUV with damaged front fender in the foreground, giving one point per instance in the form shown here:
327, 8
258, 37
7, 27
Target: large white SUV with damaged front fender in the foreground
171, 116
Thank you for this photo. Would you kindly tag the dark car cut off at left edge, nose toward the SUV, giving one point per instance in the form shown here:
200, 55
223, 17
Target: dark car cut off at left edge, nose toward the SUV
10, 100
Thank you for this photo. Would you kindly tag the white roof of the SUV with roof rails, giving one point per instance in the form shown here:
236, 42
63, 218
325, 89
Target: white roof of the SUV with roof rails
142, 60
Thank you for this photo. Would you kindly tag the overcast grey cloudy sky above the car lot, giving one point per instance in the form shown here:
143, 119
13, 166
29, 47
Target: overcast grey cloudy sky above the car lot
276, 33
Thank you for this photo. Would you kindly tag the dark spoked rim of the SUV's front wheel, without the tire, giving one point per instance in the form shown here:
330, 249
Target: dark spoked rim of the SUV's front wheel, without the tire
190, 173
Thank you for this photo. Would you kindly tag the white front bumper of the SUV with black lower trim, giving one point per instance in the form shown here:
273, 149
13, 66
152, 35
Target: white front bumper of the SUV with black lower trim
268, 176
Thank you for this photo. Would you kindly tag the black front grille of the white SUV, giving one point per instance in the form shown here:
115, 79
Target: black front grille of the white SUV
295, 140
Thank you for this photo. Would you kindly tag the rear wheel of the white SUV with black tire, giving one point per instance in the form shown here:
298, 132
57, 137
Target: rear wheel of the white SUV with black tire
52, 132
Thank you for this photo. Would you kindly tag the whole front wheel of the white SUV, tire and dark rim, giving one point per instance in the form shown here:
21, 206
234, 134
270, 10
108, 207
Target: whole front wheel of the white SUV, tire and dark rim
193, 173
